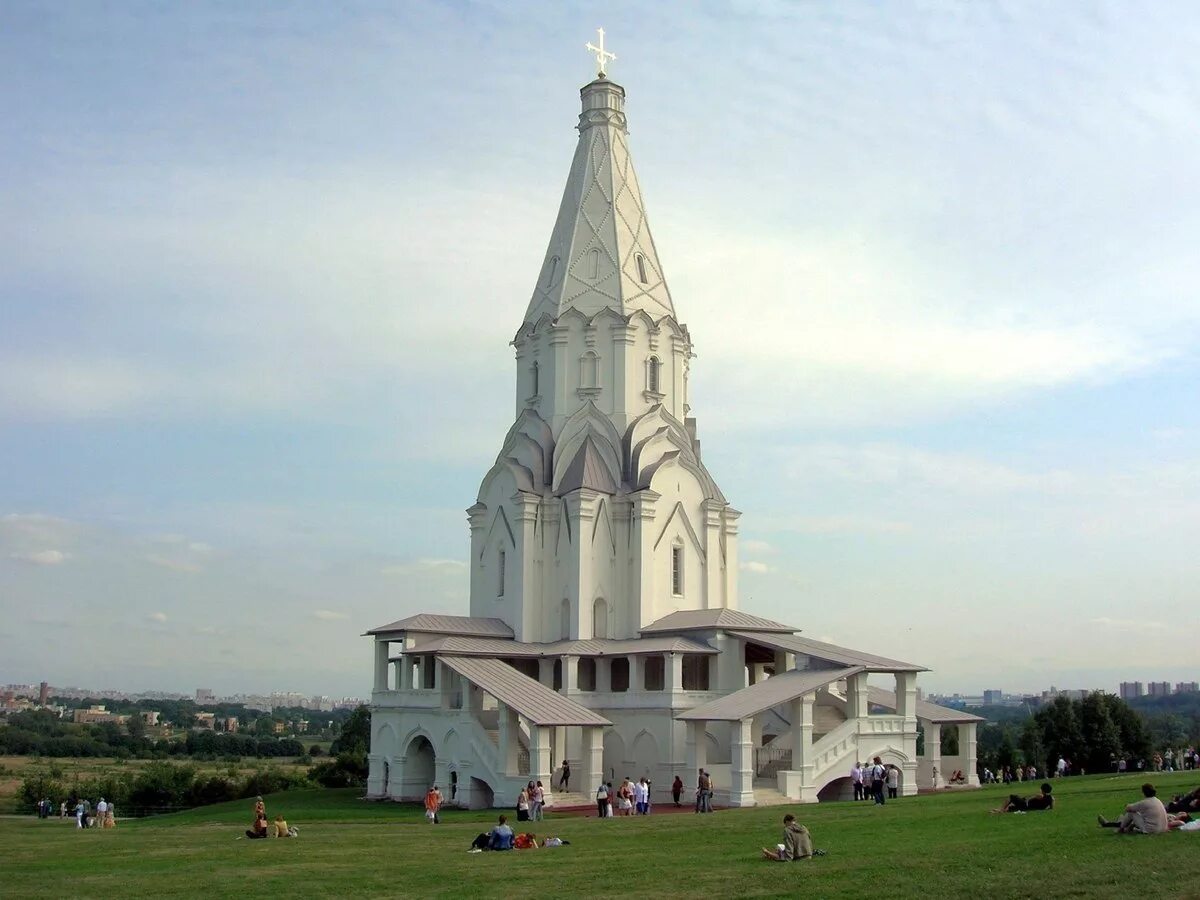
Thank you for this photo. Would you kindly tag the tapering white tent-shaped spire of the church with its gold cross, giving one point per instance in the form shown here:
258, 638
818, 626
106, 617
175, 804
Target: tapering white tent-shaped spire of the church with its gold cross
602, 254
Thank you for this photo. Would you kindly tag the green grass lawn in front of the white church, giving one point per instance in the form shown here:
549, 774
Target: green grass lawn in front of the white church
934, 847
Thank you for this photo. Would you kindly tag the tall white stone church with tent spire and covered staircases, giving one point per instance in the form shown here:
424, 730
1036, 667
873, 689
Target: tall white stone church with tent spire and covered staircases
604, 625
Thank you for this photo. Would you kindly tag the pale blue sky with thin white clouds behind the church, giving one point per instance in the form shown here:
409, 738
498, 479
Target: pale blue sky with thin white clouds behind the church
261, 265
